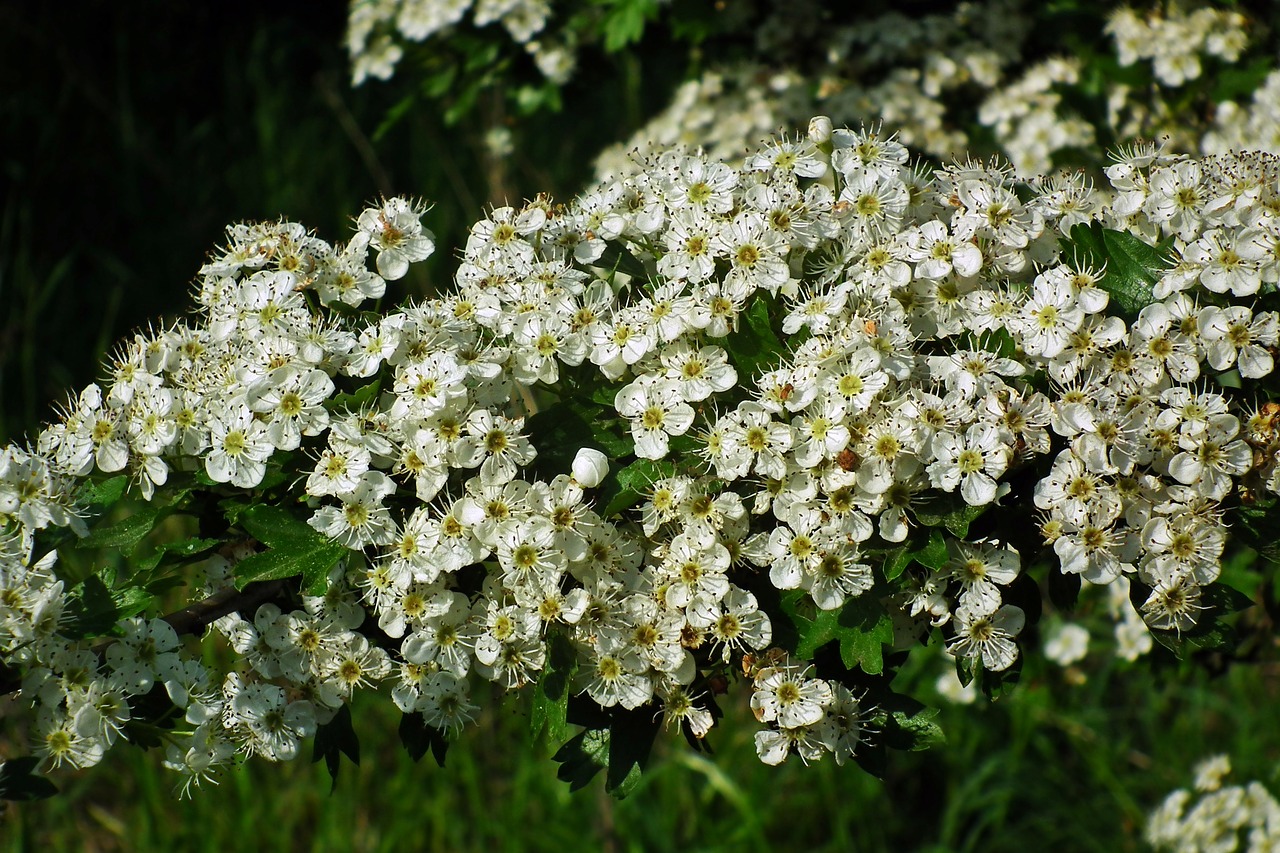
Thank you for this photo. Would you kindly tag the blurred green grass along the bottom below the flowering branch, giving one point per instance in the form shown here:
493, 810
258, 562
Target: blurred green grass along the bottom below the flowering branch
1055, 767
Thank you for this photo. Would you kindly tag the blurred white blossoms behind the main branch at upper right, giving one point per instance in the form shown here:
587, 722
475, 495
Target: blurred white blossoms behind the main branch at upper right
909, 74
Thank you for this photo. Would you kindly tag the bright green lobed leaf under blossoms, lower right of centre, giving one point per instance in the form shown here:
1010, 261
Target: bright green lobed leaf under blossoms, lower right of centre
862, 627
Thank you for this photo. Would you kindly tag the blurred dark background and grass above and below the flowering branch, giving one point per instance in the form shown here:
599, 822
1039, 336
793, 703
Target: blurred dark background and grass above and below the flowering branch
135, 133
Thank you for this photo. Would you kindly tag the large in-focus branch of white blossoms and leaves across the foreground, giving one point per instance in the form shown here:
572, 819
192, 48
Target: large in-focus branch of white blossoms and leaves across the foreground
703, 431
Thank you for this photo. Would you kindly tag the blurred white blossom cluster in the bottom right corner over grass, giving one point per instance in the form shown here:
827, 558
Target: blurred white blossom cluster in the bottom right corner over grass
1215, 816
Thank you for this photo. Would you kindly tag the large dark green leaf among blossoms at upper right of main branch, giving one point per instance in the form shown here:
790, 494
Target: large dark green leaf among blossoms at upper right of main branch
1133, 267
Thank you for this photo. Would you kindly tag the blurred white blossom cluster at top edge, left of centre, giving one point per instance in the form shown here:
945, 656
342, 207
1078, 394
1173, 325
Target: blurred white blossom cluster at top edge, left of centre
377, 31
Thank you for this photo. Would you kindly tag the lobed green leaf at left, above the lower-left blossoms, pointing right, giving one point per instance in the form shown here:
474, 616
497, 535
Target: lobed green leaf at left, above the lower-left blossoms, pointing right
294, 550
